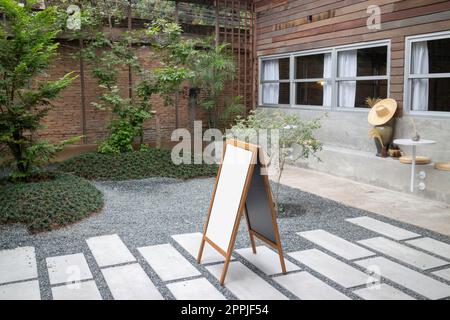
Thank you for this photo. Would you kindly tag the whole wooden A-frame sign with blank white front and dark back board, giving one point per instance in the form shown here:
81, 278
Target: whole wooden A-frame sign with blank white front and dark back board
240, 188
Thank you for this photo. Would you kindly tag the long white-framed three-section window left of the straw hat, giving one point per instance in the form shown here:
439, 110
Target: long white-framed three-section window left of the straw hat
339, 78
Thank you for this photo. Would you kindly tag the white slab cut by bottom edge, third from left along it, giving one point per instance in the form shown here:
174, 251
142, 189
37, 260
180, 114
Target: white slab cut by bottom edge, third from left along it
130, 282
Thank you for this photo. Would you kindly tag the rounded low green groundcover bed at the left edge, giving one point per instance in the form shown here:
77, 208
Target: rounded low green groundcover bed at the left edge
54, 201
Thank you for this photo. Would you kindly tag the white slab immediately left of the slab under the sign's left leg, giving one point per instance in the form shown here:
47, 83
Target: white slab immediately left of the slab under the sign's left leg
168, 263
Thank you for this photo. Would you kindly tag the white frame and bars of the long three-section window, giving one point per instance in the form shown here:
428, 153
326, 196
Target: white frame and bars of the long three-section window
334, 79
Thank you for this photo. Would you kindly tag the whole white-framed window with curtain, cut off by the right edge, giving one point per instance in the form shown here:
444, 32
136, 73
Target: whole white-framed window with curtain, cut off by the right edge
427, 74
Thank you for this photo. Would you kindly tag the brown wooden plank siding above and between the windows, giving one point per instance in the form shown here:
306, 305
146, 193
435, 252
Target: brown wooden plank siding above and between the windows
282, 26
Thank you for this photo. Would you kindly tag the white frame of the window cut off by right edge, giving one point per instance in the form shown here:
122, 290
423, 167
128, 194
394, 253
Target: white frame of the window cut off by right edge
408, 77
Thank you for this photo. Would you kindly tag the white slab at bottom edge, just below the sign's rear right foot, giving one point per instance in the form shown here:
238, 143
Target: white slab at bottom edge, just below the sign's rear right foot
307, 287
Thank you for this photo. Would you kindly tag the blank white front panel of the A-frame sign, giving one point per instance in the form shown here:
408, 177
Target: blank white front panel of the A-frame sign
230, 187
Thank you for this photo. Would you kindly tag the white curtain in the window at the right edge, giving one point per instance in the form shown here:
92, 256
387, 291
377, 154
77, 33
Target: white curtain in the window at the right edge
419, 65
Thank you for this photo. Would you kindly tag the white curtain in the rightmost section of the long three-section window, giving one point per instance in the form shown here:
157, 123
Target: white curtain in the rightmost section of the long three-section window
347, 66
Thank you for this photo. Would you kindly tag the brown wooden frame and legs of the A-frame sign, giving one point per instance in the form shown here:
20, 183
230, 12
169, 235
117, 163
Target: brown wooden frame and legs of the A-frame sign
242, 210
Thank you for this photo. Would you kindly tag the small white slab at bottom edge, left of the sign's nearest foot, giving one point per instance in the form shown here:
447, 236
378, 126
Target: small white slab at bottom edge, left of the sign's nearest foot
196, 289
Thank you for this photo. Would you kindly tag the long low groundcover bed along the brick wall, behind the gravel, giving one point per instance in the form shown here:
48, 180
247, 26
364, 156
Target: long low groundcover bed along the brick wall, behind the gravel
133, 165
